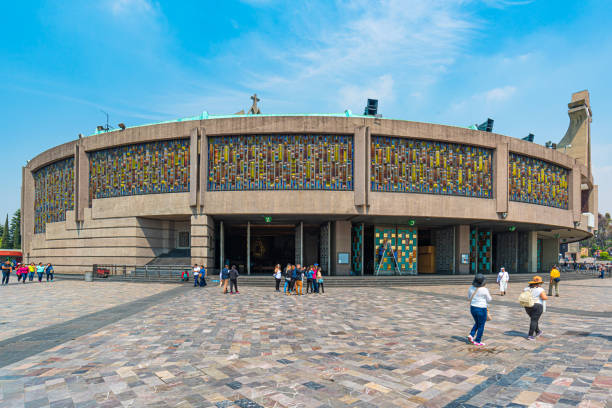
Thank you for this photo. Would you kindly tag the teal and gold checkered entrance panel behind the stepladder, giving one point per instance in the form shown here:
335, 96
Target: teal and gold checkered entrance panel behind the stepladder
404, 242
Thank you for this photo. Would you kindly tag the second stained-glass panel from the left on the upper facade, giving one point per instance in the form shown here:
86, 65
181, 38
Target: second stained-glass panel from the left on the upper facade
144, 168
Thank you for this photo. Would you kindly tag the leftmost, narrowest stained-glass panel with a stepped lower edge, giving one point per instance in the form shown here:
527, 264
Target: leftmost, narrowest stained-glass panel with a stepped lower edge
53, 193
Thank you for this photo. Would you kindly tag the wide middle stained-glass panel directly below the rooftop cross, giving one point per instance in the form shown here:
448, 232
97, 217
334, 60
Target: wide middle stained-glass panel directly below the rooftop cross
280, 162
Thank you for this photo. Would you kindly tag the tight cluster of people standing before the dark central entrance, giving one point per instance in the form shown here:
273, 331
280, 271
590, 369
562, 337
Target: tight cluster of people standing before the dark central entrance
296, 278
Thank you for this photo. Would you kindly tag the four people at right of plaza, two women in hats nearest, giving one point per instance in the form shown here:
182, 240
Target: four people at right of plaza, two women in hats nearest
533, 299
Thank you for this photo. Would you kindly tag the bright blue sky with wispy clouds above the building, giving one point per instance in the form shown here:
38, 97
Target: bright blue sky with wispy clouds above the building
449, 62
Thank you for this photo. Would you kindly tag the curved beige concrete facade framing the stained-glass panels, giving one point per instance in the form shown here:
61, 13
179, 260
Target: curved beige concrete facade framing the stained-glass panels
136, 229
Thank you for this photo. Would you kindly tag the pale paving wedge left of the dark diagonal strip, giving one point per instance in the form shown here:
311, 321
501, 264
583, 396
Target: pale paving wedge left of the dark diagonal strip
27, 306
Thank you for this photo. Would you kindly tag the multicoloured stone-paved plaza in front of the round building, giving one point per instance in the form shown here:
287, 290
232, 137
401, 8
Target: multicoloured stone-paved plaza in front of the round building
351, 347
